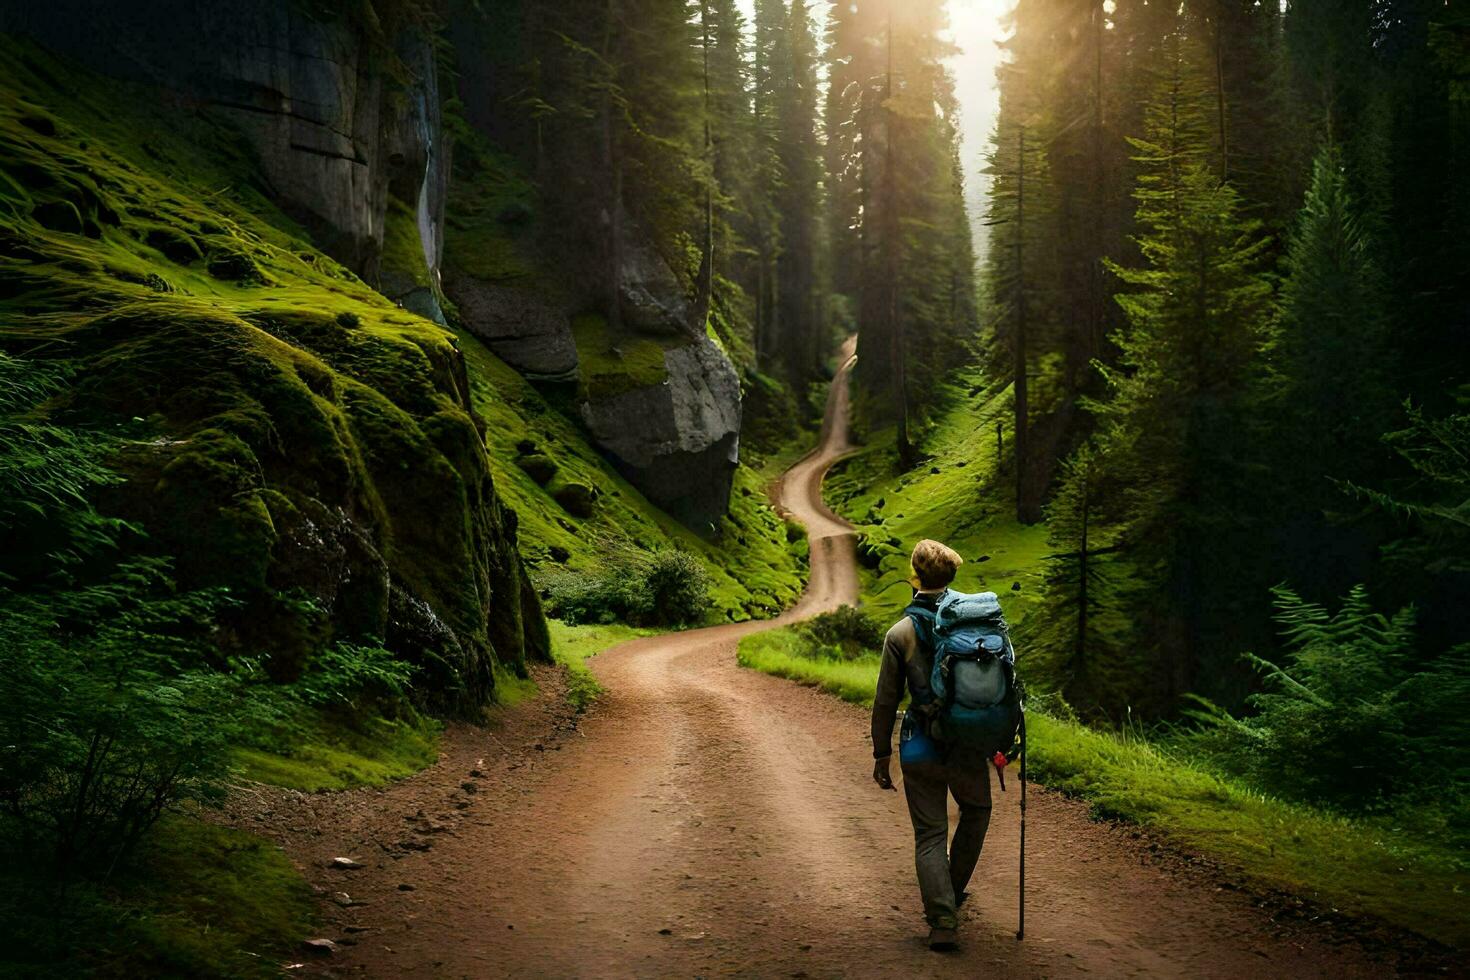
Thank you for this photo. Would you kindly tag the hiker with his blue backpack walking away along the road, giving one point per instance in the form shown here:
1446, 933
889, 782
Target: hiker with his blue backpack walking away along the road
955, 760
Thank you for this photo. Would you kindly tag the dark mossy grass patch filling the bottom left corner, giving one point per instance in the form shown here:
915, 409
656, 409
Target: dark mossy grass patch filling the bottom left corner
198, 901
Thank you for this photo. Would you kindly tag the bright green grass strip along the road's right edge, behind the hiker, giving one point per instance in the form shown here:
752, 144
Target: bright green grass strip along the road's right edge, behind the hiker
1360, 868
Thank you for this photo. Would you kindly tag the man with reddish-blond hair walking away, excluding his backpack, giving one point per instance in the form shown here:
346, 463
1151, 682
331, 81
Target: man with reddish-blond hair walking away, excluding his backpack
931, 772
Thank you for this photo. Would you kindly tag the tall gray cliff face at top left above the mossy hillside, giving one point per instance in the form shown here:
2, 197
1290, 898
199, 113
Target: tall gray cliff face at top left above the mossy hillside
333, 133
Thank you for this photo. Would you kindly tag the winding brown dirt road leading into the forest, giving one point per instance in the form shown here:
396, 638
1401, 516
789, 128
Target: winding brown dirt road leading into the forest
708, 821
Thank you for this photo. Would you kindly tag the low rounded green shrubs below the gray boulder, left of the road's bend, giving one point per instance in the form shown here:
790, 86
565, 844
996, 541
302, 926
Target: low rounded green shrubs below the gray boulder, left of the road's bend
668, 588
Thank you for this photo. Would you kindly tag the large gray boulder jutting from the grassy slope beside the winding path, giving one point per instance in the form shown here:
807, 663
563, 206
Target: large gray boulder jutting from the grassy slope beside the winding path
678, 442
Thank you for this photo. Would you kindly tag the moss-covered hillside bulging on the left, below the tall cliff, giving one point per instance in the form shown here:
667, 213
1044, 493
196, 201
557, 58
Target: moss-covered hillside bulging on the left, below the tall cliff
289, 434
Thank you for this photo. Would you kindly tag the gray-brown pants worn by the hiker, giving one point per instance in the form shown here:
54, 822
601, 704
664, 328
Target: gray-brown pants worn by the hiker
944, 875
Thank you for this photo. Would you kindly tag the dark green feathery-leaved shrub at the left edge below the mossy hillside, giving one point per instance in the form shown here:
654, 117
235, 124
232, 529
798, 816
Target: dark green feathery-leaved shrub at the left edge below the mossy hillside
108, 716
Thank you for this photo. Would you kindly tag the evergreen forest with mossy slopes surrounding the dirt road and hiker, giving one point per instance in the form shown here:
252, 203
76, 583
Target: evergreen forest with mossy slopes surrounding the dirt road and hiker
370, 368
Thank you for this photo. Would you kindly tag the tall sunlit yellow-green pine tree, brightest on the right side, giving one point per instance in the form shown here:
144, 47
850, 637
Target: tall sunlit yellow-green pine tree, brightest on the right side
1172, 427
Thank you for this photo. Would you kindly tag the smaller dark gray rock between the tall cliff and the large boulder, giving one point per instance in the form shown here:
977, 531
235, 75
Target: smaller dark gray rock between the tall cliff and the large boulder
526, 330
